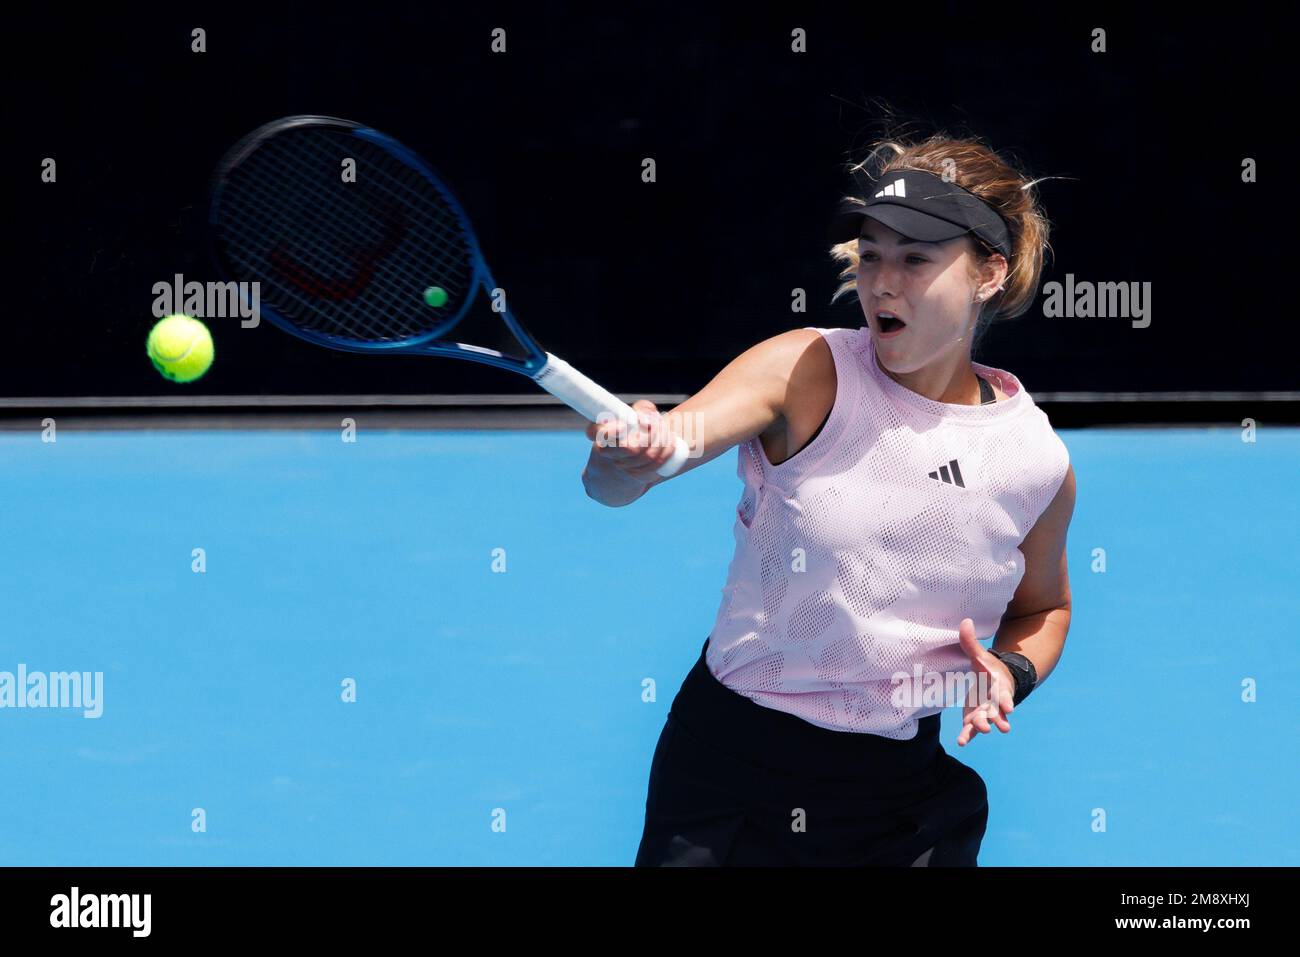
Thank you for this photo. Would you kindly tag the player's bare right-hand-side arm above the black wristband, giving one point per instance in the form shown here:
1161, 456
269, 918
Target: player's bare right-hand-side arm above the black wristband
1038, 617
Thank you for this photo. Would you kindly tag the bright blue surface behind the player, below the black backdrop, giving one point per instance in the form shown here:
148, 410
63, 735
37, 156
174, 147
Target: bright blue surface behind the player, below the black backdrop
501, 629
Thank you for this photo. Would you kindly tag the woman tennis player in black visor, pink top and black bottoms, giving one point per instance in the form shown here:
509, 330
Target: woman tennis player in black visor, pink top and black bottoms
900, 500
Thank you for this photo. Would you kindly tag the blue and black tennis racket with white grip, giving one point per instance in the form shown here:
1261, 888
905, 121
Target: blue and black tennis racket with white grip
383, 262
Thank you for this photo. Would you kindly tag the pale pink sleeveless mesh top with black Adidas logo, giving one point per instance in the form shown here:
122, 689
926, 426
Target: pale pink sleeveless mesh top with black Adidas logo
859, 557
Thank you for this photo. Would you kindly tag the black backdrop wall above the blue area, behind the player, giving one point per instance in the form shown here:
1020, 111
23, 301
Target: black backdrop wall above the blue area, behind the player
652, 288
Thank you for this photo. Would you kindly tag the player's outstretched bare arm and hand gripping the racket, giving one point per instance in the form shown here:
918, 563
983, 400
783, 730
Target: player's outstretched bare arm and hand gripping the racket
749, 397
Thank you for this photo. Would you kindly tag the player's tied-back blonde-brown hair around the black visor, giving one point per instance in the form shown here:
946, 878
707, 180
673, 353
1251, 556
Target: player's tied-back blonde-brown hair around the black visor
976, 167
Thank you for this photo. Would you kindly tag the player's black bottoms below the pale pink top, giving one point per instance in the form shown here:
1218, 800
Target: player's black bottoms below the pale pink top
734, 783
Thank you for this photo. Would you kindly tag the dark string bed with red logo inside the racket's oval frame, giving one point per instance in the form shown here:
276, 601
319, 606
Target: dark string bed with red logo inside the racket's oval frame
345, 259
